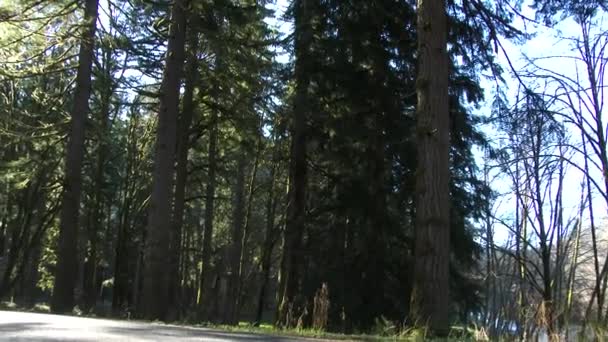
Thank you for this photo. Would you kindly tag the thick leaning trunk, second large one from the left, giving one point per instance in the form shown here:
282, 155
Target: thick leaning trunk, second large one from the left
155, 292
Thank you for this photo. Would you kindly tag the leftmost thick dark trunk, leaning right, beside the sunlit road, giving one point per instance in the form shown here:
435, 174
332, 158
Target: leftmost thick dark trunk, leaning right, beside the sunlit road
67, 265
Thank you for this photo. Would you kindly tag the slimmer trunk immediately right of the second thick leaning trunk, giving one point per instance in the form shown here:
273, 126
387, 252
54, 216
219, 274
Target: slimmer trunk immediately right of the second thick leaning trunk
183, 146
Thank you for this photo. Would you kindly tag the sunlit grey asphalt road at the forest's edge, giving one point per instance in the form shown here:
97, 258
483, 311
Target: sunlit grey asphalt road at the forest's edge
23, 326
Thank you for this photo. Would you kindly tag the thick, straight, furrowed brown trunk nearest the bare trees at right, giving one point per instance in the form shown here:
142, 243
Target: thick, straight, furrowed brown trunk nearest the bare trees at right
430, 295
